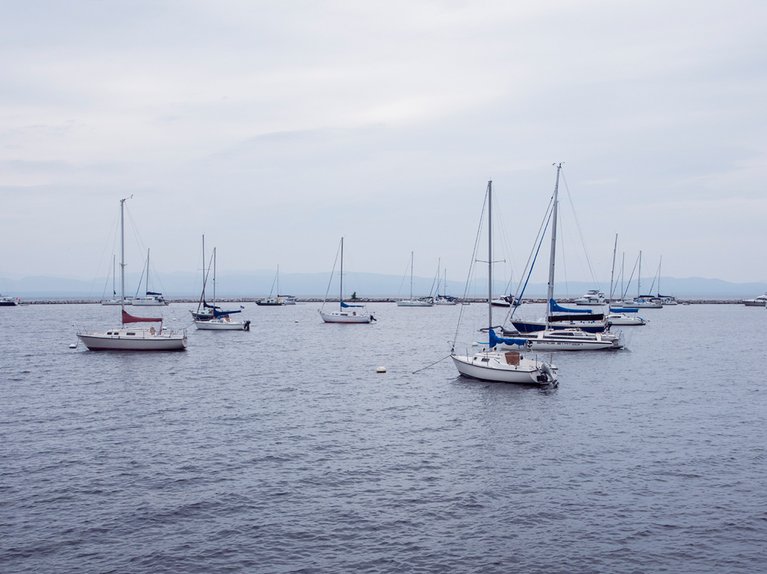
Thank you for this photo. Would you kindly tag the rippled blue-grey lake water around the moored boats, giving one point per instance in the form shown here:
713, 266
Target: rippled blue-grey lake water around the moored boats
282, 450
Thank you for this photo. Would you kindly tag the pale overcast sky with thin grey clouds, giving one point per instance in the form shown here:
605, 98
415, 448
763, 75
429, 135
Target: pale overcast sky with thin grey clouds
274, 128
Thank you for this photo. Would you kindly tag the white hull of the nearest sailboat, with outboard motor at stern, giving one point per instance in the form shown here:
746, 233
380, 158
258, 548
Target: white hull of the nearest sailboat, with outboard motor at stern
493, 366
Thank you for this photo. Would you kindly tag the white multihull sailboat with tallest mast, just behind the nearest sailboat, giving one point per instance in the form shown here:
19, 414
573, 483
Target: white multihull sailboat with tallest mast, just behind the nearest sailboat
570, 338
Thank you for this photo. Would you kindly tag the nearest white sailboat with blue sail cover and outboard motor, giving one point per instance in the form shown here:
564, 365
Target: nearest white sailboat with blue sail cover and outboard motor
491, 364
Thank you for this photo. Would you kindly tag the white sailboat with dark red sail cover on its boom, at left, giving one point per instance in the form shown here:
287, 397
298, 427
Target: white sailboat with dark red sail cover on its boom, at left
129, 338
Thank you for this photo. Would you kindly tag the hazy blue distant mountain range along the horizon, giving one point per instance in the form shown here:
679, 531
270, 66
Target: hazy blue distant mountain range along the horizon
259, 283
